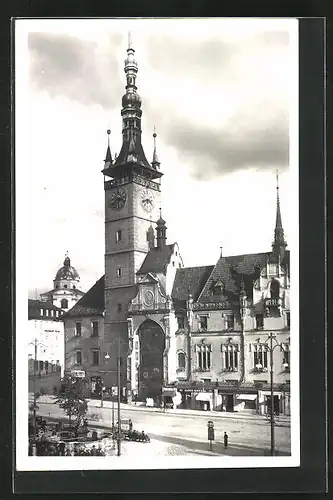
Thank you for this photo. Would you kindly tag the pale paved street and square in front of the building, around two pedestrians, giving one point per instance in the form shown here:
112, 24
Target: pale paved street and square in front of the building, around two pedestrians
175, 433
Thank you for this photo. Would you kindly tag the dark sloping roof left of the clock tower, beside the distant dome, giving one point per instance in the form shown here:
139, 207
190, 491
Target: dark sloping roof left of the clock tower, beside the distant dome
91, 304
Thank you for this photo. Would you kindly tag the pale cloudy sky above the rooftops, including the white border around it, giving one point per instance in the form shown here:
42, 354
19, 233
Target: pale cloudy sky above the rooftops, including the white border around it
221, 94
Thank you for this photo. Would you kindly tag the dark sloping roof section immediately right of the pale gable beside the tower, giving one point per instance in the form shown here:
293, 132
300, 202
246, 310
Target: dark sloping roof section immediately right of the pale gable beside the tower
189, 280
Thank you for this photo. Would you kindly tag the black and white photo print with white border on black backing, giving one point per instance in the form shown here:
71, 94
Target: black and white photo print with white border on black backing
157, 287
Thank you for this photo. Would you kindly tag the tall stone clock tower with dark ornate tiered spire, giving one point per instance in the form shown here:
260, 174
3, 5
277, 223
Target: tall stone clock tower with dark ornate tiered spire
132, 202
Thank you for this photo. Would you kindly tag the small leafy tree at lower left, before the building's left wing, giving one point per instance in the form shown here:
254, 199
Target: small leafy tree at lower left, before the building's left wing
72, 399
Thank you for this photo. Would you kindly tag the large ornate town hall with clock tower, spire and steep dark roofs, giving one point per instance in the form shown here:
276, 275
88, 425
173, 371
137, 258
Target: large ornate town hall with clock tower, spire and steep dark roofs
195, 336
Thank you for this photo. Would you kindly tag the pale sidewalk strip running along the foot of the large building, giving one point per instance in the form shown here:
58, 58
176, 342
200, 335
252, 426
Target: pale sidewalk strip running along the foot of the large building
96, 403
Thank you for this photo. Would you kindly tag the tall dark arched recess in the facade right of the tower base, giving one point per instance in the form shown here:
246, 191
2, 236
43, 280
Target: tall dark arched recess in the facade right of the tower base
152, 345
